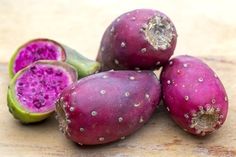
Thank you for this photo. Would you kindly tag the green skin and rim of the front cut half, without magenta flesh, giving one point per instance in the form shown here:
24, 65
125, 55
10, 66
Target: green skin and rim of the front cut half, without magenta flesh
15, 107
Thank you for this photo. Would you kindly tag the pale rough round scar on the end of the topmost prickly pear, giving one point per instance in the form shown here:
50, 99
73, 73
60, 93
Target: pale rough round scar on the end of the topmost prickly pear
159, 32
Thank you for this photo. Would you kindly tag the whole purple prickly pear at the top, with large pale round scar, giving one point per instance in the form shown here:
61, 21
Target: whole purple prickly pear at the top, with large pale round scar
139, 39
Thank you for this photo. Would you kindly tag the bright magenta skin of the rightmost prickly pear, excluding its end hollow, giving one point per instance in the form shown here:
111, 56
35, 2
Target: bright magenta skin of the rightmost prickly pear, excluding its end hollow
189, 85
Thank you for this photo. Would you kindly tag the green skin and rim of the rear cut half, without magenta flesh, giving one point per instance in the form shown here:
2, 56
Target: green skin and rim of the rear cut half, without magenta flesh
83, 65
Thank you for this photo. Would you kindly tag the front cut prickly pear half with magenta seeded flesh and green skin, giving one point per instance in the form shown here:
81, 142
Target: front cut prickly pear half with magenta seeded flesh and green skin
33, 91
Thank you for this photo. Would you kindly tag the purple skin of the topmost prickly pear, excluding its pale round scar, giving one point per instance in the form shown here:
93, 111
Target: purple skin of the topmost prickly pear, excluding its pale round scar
124, 45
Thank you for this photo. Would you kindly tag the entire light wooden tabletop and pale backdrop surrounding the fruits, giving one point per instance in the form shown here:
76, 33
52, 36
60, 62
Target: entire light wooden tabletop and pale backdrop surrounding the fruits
206, 29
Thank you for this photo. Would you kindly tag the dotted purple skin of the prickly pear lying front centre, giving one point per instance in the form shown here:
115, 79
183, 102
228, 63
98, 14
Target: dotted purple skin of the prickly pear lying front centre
108, 106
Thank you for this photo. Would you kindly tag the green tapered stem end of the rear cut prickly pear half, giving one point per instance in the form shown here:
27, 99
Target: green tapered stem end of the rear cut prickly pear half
83, 65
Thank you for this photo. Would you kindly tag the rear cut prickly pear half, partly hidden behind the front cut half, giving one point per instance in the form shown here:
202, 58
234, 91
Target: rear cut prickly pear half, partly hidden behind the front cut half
47, 49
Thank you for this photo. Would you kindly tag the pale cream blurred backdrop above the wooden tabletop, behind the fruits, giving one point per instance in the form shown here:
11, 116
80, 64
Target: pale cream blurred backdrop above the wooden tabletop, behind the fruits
203, 26
